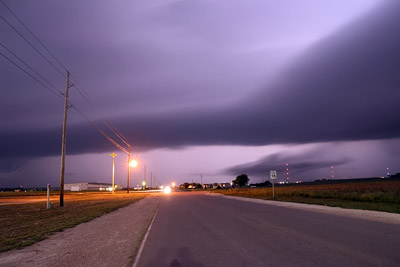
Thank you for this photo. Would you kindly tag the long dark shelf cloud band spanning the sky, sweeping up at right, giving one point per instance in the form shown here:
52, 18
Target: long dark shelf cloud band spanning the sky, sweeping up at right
346, 87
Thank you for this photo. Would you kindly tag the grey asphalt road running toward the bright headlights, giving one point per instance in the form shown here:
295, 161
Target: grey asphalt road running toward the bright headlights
196, 229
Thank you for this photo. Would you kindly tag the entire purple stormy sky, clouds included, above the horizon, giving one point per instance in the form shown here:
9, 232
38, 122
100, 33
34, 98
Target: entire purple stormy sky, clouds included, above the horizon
211, 88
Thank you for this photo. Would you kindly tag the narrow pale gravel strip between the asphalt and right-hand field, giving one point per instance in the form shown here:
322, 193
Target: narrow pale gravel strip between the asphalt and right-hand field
377, 216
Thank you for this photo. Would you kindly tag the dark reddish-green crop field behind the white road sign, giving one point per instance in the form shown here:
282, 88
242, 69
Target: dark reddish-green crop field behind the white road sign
377, 195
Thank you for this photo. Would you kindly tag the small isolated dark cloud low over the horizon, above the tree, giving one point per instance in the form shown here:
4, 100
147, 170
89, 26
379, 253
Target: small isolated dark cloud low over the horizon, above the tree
298, 165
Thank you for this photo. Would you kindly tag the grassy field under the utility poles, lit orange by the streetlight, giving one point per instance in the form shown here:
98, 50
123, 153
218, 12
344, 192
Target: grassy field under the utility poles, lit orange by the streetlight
25, 220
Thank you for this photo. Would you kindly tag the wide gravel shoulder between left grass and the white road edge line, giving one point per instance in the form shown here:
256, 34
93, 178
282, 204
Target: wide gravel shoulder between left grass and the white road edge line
109, 240
